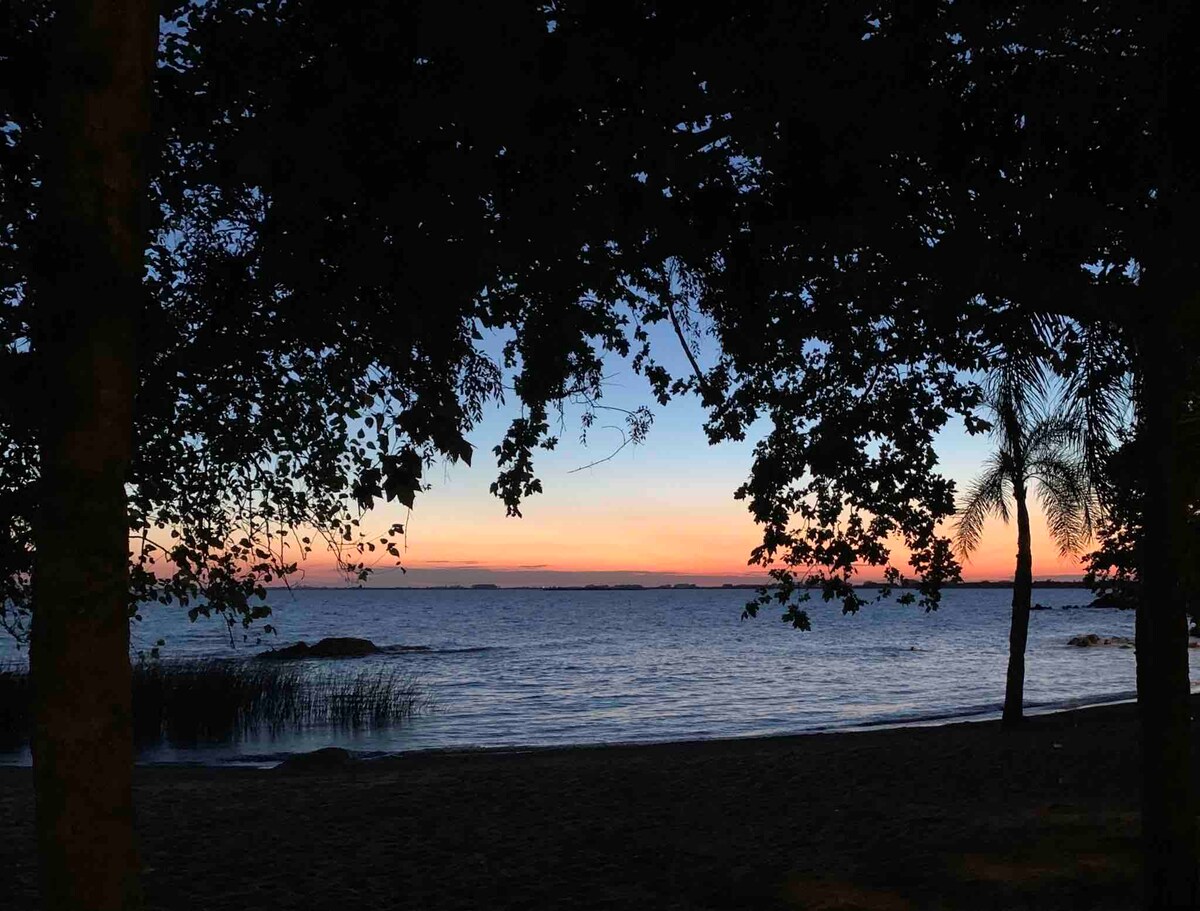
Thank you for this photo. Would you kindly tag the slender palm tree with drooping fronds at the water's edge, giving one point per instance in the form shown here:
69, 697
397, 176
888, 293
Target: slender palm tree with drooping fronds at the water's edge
1036, 452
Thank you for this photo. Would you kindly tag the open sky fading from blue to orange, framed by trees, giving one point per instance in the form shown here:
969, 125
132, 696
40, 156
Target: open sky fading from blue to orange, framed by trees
658, 513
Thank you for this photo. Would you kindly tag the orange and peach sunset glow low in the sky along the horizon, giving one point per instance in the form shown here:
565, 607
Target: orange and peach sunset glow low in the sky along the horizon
580, 543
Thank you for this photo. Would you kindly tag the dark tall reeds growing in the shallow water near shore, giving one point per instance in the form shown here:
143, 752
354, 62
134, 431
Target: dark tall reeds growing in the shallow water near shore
190, 702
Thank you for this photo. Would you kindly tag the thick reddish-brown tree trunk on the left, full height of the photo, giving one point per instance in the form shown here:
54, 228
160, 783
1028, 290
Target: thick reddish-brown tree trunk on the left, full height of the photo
86, 291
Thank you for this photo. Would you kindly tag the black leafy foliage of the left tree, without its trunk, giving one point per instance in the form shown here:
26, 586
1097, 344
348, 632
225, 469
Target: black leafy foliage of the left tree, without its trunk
339, 223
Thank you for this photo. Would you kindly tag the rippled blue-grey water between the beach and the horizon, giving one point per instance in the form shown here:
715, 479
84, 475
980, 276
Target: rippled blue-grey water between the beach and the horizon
531, 668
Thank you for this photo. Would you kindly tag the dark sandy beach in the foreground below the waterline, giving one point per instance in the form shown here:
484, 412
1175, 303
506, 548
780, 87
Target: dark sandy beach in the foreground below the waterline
964, 817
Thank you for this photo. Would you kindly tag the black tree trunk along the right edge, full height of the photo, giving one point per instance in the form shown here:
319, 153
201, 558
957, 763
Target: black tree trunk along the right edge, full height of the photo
1166, 326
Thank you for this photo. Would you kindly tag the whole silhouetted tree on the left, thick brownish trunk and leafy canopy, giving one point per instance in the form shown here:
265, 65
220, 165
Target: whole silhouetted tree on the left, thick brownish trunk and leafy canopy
250, 319
